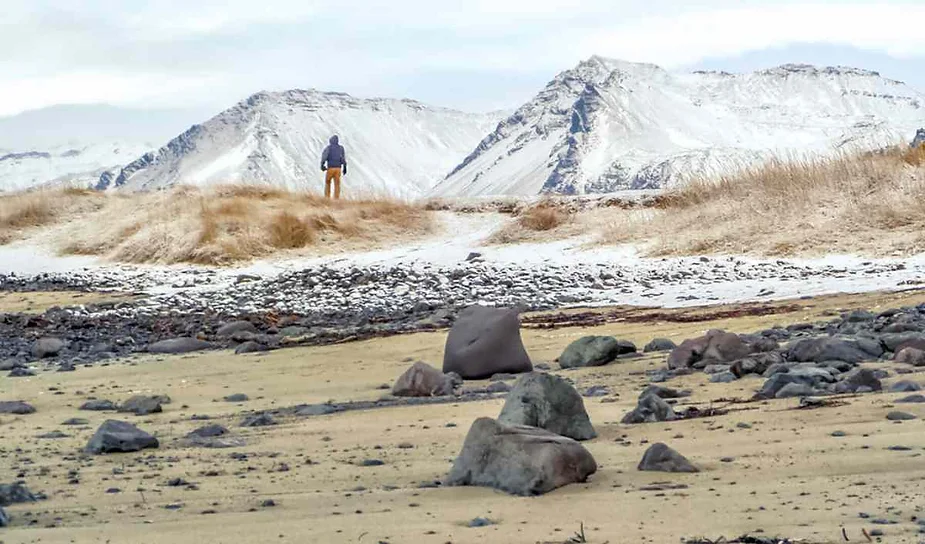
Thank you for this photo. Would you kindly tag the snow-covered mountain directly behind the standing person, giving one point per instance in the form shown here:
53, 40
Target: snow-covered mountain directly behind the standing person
399, 148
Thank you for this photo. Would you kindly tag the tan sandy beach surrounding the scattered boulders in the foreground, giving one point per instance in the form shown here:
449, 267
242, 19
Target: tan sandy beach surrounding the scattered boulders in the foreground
784, 473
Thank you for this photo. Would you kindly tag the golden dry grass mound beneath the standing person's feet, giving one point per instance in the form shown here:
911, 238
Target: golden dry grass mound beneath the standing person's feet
217, 226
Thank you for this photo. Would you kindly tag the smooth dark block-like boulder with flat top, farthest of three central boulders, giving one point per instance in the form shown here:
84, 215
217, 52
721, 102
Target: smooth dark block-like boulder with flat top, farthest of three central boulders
484, 342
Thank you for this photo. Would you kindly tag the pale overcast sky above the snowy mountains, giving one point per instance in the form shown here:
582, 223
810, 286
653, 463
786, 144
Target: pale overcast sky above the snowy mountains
470, 54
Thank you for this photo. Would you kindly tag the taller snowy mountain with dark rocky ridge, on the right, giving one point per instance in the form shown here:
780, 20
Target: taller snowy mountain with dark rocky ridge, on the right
608, 125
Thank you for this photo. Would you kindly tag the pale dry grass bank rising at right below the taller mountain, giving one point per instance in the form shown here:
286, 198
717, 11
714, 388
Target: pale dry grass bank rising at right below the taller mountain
867, 203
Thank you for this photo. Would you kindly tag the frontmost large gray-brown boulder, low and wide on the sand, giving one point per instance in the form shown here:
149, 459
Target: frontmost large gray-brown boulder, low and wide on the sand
519, 460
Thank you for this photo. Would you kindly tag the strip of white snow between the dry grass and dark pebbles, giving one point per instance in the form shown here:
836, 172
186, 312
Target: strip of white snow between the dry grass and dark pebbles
664, 282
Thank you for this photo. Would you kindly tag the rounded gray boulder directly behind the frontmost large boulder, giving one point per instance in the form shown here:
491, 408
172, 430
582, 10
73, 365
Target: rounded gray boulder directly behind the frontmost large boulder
548, 402
